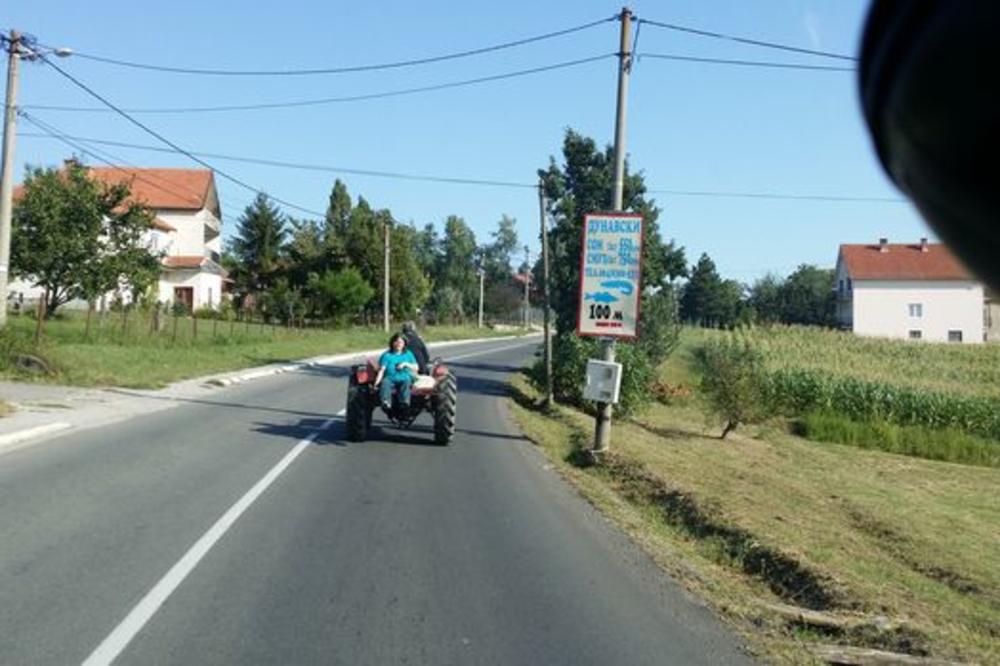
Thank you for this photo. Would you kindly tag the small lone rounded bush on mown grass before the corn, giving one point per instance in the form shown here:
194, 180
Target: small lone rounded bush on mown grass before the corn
732, 382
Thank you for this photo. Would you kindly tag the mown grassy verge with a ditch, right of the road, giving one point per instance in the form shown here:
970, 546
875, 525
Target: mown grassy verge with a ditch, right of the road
766, 520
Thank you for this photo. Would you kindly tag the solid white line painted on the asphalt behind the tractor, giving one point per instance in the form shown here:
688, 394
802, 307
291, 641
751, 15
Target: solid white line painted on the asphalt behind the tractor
118, 640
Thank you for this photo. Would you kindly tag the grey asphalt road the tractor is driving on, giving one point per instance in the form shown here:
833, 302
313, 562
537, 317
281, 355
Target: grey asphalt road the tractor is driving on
159, 541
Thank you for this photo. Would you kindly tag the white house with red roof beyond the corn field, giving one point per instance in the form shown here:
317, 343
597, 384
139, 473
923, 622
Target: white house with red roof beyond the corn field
916, 291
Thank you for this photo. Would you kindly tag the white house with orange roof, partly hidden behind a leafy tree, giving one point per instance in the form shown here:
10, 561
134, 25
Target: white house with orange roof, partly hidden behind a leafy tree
187, 230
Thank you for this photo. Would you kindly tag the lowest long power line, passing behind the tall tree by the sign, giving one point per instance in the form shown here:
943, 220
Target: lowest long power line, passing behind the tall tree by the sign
479, 181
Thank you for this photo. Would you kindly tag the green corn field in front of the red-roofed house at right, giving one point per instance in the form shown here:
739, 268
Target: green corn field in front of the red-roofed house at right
931, 385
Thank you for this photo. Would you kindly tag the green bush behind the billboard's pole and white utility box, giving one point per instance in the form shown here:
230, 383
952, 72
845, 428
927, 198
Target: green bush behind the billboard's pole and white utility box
658, 337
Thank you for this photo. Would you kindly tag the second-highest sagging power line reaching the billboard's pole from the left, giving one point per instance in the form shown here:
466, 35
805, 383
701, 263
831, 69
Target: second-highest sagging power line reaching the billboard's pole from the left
330, 100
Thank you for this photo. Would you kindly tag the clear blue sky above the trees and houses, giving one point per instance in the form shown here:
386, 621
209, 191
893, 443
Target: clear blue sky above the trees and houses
692, 127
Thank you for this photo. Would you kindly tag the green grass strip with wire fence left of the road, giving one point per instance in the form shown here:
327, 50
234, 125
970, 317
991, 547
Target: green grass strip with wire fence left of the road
140, 359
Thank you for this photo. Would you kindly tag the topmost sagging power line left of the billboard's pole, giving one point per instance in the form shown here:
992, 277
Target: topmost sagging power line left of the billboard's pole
352, 68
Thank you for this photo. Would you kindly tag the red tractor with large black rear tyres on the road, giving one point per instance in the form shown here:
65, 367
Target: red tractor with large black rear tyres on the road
436, 392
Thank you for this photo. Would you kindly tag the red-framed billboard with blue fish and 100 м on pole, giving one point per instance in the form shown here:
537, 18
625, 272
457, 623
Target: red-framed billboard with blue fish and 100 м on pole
610, 275
